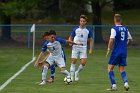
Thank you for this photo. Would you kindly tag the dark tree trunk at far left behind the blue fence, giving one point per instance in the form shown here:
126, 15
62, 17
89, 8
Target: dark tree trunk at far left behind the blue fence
6, 29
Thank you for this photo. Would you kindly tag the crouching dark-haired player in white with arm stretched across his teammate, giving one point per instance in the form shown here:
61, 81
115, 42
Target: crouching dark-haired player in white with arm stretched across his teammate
55, 50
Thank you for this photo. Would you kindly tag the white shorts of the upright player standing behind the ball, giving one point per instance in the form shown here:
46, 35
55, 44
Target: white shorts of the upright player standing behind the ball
79, 51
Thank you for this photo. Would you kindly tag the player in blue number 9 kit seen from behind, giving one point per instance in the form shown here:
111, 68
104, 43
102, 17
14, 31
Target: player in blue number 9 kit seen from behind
120, 37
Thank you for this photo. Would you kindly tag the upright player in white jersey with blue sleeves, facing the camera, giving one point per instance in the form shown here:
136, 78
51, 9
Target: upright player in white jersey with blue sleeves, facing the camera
80, 35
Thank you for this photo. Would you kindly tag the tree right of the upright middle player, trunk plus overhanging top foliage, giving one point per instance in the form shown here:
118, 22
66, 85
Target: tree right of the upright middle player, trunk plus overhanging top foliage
97, 6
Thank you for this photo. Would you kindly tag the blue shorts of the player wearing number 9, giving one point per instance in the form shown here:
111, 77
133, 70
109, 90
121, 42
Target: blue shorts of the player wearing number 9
117, 60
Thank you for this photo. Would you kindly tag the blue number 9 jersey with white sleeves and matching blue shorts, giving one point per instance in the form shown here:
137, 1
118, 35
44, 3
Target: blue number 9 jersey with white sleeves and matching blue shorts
119, 52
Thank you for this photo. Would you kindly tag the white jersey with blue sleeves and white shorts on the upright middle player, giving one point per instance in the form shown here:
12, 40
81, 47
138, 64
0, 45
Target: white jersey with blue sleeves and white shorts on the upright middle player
80, 36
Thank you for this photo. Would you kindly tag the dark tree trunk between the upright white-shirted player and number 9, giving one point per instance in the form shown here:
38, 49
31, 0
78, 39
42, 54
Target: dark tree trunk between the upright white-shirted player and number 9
97, 21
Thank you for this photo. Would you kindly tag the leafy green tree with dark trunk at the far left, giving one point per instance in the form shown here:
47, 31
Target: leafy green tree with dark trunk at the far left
10, 9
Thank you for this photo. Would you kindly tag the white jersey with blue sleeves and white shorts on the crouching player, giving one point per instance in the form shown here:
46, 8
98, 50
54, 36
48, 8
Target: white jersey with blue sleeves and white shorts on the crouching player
56, 53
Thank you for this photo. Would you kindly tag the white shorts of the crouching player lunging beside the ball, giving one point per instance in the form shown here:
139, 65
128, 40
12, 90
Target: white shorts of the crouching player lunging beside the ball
59, 60
